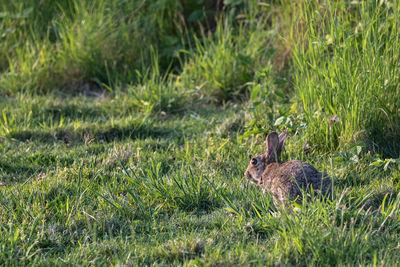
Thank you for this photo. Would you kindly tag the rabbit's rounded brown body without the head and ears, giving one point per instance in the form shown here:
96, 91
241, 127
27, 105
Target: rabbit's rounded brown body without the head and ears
289, 179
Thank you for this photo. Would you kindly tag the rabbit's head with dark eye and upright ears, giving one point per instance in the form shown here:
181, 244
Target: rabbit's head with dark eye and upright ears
273, 150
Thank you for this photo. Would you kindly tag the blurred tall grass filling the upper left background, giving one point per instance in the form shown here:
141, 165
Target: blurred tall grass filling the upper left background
47, 45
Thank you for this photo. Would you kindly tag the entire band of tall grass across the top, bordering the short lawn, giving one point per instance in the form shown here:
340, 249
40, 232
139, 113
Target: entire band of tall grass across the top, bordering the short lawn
342, 57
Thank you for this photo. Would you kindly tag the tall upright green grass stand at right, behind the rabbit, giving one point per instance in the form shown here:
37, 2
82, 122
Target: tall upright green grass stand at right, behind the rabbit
348, 67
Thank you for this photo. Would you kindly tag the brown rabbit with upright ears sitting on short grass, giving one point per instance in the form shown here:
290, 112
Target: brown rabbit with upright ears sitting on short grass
284, 180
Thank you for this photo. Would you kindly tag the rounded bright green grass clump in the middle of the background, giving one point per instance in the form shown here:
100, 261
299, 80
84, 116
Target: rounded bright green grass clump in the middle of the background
224, 63
